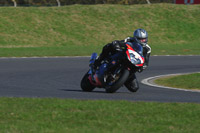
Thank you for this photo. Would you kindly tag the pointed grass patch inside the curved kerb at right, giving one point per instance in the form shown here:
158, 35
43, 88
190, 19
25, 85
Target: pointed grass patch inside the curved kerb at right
189, 81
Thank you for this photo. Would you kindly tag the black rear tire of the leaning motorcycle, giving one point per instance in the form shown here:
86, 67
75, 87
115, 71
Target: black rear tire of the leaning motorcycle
85, 84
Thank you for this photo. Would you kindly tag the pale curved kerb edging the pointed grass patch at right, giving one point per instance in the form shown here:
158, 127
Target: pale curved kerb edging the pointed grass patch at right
150, 81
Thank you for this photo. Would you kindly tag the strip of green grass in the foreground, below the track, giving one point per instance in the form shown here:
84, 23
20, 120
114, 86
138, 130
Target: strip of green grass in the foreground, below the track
61, 115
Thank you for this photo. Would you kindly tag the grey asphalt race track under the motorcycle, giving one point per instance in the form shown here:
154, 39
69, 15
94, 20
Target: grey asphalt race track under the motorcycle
60, 78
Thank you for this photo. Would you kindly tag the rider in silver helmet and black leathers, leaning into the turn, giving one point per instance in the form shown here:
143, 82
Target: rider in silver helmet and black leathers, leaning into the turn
139, 36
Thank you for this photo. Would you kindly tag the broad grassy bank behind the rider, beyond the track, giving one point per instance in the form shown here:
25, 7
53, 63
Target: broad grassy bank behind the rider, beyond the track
83, 29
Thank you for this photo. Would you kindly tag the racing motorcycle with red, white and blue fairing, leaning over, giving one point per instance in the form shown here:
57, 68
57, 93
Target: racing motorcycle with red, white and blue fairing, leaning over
115, 71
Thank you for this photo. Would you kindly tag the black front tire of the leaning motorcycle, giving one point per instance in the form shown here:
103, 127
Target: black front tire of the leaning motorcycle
119, 82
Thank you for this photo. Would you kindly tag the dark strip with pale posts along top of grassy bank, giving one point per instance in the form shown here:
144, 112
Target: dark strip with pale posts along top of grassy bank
71, 2
